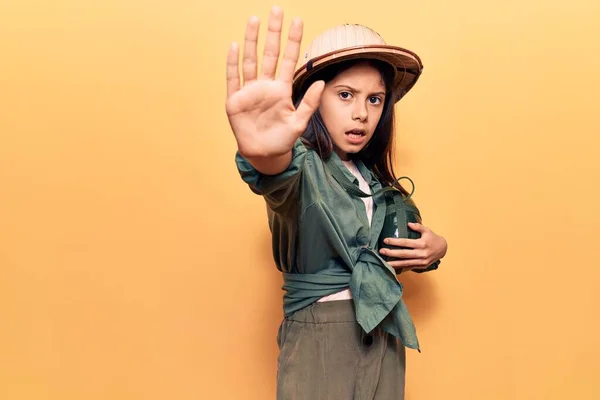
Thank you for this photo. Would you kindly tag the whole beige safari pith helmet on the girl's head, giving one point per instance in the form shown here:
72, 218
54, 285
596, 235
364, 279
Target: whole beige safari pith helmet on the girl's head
352, 41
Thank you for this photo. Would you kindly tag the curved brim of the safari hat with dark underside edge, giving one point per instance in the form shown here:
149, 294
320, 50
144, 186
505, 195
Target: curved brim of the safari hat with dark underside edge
408, 65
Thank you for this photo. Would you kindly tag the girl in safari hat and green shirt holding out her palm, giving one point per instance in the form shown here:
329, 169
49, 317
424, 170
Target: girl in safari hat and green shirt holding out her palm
316, 143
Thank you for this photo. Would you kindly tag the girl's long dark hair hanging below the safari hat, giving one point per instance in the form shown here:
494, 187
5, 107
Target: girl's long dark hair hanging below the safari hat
378, 154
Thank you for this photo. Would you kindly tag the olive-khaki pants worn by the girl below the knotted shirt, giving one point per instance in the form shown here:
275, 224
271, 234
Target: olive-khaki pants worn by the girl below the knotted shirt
325, 355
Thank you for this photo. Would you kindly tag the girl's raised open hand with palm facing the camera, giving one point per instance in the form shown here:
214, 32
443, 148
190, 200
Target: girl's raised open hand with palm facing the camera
261, 113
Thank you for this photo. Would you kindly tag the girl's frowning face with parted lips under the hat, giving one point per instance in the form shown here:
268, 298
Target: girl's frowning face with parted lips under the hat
353, 100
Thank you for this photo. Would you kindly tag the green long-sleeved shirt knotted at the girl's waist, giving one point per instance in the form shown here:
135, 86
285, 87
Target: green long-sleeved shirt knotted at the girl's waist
322, 241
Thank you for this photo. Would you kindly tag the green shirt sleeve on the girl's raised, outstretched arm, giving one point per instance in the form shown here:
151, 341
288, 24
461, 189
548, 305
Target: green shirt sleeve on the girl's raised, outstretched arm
278, 190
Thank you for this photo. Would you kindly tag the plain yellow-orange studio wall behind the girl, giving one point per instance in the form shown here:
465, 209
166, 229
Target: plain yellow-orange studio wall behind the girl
135, 264
